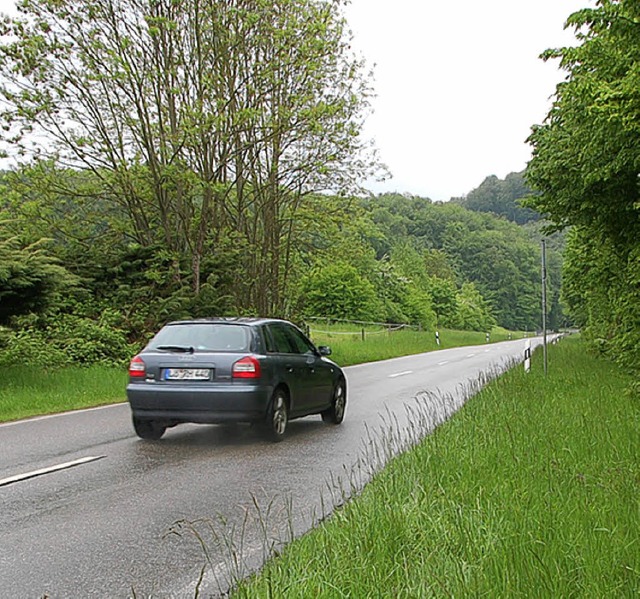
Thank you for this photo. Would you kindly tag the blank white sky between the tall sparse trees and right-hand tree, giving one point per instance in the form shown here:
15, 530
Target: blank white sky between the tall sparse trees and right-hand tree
459, 85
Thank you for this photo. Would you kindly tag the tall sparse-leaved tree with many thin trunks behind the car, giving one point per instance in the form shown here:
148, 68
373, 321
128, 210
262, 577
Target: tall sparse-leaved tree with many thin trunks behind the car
201, 118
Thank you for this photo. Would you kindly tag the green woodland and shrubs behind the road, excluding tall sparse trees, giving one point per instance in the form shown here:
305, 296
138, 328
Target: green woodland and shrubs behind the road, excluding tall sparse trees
78, 288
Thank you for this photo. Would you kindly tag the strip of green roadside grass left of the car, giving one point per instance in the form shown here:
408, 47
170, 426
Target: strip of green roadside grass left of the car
30, 391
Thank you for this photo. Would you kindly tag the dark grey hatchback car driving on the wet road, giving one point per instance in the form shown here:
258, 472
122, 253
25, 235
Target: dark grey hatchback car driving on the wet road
225, 370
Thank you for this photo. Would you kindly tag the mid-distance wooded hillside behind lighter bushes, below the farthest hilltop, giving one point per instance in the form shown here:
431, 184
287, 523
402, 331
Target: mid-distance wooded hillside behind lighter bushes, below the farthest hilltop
498, 257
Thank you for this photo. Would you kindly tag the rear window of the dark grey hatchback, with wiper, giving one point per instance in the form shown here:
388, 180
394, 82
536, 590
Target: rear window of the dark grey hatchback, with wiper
204, 337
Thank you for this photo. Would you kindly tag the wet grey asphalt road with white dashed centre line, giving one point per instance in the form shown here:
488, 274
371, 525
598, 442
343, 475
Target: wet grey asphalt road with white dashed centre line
89, 510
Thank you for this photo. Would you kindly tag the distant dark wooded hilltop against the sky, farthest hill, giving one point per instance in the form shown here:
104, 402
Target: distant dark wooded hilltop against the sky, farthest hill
501, 197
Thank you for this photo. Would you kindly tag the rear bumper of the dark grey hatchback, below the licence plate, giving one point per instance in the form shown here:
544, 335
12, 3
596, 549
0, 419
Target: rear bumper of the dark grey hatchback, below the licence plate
191, 403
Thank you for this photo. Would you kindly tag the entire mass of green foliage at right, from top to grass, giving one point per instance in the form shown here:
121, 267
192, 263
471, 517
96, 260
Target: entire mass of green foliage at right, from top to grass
585, 164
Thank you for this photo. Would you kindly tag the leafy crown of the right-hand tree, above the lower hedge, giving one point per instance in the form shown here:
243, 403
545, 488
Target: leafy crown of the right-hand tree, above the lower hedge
586, 155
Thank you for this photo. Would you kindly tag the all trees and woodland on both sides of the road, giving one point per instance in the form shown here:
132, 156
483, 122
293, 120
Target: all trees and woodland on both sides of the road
205, 158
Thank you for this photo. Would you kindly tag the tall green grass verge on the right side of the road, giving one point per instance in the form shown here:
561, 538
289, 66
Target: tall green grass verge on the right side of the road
531, 490
